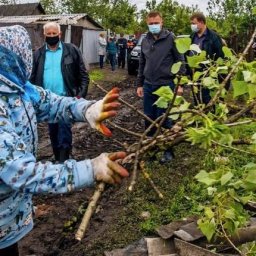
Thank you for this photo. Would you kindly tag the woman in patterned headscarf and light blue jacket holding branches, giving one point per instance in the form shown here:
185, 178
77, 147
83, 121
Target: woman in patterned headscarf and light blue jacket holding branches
22, 105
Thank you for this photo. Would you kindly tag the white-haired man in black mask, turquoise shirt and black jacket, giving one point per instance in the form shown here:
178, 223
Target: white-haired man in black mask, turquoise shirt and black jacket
59, 67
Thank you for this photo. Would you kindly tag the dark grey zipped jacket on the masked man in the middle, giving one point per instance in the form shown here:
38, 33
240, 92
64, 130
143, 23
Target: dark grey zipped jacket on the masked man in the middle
157, 58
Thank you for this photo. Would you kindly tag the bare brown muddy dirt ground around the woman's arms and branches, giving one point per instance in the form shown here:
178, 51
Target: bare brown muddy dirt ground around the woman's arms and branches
113, 225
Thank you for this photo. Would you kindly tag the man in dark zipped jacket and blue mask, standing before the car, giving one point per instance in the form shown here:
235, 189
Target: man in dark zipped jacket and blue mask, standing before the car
158, 54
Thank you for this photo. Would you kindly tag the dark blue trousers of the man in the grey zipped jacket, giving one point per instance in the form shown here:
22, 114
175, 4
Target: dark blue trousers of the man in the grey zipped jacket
151, 110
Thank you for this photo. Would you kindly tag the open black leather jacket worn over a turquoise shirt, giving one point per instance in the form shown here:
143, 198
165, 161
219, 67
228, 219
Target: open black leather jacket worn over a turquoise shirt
75, 76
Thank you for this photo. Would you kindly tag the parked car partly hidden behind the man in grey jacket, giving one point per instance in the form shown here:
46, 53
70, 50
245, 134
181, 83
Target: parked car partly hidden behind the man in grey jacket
133, 60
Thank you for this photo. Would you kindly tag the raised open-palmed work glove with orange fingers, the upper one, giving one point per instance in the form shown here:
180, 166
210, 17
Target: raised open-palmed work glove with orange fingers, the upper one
103, 109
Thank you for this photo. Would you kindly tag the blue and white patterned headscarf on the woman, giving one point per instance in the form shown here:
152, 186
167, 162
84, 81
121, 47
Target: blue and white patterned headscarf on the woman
16, 61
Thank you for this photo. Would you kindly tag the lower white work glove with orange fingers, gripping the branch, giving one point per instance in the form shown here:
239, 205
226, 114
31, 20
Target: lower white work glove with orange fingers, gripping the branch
107, 170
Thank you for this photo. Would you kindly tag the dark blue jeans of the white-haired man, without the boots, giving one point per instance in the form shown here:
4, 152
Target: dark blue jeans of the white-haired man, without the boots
60, 135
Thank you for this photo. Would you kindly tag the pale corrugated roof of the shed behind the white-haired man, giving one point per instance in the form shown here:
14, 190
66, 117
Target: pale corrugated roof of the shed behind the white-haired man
62, 19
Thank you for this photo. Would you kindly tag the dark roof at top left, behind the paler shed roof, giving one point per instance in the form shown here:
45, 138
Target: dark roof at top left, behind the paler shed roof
21, 9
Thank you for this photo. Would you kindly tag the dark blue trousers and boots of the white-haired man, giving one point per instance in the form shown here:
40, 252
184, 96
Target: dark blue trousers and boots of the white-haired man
61, 140
